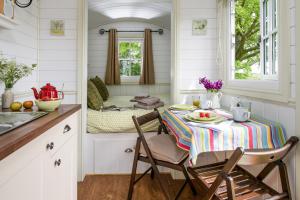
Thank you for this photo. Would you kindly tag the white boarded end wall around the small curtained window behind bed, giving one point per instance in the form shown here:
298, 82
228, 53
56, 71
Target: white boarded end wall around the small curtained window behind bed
97, 57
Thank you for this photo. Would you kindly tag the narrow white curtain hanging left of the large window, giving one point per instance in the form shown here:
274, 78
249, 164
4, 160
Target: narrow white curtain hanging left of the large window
223, 21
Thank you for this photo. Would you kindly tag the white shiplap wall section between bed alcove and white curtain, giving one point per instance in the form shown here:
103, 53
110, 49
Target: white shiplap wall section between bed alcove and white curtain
197, 54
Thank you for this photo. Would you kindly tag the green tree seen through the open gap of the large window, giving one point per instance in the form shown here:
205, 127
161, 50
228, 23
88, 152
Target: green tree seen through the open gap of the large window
247, 37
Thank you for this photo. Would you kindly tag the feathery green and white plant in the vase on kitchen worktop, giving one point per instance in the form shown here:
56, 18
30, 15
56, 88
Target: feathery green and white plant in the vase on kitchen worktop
11, 72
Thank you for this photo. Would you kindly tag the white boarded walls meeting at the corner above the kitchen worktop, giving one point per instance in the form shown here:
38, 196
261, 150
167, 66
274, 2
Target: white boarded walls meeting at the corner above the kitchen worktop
30, 42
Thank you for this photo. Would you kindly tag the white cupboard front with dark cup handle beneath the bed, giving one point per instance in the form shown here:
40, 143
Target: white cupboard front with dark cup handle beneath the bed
111, 153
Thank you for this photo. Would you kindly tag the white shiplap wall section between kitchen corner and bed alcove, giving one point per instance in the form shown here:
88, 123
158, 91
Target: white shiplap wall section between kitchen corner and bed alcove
58, 54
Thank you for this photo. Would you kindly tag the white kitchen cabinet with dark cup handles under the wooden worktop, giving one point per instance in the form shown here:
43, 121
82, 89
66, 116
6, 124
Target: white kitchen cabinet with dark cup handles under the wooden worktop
45, 168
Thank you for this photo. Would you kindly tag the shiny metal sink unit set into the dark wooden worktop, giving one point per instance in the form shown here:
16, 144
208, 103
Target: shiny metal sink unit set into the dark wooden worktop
12, 120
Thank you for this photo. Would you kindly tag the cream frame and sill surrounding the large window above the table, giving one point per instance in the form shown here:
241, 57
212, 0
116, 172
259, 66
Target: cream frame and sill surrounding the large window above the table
270, 89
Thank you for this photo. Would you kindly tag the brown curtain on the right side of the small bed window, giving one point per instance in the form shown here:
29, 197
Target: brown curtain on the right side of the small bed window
148, 76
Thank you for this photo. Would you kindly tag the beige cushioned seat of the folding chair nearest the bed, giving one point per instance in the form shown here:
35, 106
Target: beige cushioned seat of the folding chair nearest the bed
163, 147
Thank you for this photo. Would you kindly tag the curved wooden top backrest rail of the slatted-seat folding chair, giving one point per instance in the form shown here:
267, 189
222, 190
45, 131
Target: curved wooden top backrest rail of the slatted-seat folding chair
267, 156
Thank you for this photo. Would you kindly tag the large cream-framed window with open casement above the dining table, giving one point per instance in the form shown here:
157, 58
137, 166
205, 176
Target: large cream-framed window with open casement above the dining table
254, 48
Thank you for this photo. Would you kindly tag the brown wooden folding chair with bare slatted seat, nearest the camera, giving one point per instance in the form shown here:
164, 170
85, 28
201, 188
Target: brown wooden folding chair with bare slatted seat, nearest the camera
227, 180
